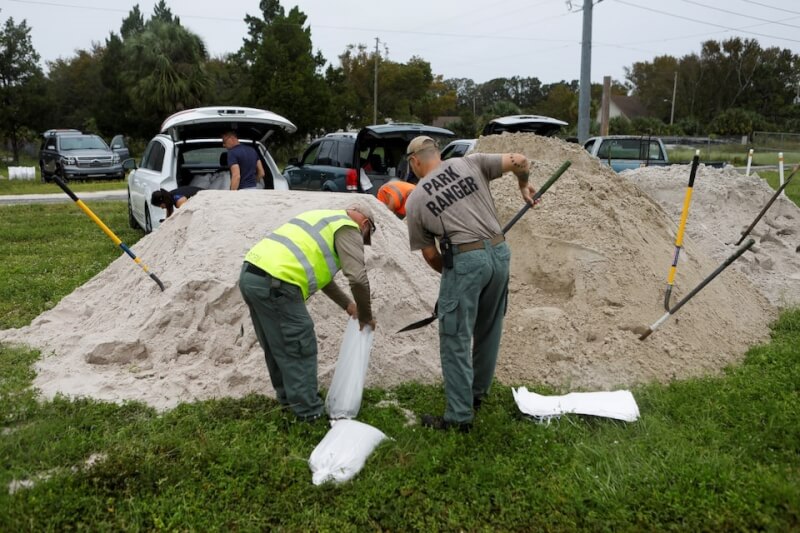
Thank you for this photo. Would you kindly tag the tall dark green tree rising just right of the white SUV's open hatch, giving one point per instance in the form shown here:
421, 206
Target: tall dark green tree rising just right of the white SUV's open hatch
283, 72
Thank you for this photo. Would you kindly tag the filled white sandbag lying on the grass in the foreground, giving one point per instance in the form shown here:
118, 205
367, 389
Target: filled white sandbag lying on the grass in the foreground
341, 454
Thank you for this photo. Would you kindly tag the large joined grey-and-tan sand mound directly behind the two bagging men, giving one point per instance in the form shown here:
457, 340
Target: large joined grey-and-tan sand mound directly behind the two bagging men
588, 267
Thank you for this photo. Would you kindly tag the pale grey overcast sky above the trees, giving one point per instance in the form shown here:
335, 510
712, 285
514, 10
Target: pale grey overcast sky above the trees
473, 39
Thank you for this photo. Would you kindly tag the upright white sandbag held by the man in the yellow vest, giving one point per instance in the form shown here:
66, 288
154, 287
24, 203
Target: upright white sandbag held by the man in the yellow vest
347, 386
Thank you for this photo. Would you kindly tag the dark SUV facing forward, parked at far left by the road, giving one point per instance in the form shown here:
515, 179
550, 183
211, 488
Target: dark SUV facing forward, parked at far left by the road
71, 154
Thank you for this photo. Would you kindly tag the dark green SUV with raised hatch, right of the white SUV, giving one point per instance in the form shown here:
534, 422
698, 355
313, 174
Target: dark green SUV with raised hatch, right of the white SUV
335, 162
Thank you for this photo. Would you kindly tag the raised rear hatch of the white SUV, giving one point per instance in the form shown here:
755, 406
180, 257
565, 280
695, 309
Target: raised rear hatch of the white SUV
212, 122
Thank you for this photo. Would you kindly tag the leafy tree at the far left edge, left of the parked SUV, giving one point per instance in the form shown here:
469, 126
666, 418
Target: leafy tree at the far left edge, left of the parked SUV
19, 76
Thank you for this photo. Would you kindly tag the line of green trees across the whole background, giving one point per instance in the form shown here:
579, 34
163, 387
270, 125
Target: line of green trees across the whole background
154, 66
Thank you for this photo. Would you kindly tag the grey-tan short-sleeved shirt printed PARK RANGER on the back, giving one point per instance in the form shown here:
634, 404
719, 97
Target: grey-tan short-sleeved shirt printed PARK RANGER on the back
455, 197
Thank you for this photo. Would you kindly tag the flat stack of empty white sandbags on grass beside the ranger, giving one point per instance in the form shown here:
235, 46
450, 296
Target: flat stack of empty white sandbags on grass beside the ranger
614, 404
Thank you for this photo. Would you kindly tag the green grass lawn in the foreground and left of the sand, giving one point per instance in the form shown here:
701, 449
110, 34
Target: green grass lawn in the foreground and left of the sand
713, 454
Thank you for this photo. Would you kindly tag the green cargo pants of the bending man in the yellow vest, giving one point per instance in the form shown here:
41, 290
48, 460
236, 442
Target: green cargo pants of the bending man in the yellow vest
286, 333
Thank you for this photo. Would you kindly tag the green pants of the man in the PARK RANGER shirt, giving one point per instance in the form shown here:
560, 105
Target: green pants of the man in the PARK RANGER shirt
472, 303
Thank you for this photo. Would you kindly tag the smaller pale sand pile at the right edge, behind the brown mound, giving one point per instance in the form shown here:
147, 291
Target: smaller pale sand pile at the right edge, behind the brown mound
724, 204
